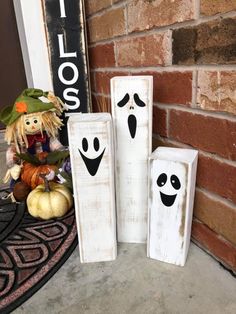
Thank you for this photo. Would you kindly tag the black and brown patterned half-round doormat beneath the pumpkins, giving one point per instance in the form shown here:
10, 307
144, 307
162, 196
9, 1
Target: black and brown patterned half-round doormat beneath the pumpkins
31, 251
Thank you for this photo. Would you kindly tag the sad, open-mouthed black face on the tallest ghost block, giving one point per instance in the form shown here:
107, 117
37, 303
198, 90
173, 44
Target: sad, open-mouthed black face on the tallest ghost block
132, 120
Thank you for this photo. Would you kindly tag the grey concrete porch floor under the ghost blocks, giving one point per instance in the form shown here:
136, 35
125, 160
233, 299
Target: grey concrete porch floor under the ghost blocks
135, 284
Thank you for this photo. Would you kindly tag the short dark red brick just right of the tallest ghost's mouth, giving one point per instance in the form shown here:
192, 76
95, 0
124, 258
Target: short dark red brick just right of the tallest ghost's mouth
159, 121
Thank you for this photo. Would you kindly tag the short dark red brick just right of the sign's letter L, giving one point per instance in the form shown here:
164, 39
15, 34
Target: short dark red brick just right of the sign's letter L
102, 56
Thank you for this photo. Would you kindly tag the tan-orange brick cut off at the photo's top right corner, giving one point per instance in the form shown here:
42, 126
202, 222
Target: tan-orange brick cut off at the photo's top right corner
209, 7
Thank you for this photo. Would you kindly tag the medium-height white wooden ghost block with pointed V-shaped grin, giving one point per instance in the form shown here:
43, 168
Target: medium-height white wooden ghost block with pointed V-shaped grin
92, 162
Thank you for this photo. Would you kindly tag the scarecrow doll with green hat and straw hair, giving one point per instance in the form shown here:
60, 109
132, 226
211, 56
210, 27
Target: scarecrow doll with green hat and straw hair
32, 125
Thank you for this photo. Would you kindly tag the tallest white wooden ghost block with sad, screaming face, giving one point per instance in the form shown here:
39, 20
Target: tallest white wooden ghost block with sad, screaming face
132, 100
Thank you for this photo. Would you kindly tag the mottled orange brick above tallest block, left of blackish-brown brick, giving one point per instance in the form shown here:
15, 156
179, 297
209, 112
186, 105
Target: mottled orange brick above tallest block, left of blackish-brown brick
139, 51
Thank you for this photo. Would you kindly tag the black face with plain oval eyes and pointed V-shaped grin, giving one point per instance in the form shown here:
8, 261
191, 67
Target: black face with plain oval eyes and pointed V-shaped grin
92, 164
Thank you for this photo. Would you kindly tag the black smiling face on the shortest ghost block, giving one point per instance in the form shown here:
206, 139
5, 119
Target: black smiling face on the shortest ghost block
168, 199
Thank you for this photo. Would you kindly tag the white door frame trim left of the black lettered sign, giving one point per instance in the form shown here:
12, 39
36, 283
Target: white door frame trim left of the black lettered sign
30, 23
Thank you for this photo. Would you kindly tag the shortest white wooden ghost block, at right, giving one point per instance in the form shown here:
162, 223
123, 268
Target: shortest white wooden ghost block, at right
172, 178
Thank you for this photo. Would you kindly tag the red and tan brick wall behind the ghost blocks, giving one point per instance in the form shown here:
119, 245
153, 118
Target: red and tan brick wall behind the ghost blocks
189, 46
